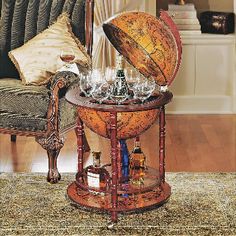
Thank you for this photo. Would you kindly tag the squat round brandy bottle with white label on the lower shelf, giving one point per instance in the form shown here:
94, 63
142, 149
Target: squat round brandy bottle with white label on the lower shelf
98, 177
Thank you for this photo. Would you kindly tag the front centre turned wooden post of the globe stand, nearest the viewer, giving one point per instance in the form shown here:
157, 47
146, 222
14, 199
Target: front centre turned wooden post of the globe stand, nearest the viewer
114, 154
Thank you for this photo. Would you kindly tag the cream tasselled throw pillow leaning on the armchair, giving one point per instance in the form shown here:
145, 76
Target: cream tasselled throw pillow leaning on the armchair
39, 58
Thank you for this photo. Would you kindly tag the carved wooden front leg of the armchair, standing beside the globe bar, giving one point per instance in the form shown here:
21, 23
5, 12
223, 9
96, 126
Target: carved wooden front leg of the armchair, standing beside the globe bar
53, 145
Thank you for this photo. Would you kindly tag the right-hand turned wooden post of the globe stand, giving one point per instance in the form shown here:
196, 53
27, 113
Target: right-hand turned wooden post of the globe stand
162, 144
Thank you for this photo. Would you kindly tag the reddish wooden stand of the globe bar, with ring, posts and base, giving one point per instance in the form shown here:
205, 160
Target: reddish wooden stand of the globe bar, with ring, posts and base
121, 197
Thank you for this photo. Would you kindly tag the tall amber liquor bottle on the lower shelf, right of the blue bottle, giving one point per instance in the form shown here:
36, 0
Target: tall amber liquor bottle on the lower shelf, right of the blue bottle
137, 163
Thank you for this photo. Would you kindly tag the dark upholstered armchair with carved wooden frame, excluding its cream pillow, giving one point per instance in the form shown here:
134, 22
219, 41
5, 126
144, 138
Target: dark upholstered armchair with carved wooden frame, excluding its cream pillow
39, 111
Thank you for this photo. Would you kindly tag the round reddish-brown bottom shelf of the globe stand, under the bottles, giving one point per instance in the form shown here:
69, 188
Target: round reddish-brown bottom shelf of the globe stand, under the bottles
133, 202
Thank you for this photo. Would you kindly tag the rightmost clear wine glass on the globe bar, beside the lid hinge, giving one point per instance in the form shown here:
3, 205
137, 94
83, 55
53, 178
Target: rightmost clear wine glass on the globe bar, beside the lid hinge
144, 89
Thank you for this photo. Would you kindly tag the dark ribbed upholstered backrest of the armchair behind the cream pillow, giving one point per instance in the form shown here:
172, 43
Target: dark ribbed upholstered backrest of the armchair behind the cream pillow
21, 20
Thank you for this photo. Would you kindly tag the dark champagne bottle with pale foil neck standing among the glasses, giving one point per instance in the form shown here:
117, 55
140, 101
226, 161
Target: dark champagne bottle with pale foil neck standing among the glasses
120, 89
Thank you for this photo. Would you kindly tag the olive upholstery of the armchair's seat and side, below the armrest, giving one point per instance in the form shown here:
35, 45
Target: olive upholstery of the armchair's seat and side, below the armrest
24, 108
